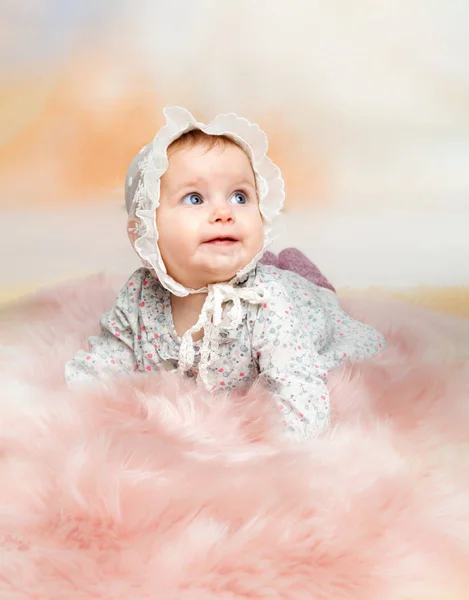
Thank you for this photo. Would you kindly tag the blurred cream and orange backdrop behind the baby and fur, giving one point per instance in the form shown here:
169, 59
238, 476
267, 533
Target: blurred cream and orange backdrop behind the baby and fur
366, 105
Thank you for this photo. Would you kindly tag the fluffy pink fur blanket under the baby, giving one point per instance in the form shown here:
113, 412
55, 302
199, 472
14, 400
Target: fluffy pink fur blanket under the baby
149, 489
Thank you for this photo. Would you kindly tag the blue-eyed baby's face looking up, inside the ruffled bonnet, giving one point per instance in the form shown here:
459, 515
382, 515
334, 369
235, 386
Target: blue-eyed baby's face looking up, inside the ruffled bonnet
209, 221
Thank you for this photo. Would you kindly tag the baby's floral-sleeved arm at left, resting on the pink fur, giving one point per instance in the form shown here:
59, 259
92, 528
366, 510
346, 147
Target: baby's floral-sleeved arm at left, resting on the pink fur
111, 351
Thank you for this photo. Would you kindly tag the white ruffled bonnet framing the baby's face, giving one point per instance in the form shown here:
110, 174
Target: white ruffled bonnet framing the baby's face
142, 188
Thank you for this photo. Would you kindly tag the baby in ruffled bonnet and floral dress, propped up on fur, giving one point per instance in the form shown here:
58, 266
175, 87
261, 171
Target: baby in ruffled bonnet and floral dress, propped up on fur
201, 201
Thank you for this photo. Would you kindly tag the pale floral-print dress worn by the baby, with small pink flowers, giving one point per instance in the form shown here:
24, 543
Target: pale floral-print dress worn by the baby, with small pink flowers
291, 341
